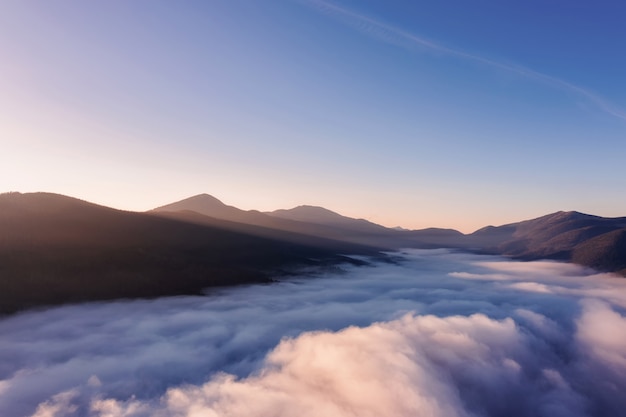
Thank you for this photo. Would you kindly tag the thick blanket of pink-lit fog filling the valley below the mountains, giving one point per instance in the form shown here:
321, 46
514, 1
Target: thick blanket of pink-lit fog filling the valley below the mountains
438, 334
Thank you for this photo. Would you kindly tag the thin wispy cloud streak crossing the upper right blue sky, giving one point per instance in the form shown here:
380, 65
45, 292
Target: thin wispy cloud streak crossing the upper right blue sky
402, 38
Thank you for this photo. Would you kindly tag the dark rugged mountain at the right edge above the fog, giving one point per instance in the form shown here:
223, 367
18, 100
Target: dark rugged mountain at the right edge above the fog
585, 239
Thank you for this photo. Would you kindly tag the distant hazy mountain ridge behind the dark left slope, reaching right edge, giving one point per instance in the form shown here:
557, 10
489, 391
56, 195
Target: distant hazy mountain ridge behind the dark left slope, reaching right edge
568, 236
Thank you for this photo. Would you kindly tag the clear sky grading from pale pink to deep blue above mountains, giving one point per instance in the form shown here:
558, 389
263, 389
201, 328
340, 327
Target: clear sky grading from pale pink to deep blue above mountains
413, 113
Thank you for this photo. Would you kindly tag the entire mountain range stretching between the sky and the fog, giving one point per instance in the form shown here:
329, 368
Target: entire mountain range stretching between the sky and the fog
56, 249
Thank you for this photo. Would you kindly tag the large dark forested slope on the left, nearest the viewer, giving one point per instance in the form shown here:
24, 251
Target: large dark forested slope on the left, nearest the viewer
56, 249
